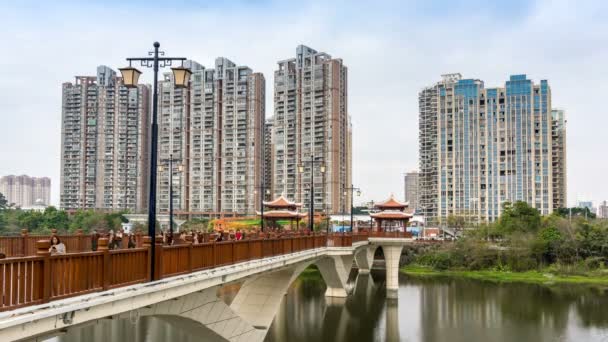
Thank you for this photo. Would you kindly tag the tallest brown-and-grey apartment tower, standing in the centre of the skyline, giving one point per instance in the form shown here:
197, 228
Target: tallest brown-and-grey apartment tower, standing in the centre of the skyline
311, 122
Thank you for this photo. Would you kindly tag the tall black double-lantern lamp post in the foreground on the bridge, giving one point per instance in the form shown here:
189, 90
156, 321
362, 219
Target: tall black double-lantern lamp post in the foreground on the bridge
156, 59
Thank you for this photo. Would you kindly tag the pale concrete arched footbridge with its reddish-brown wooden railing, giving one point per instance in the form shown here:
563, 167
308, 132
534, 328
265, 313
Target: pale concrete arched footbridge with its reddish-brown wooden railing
49, 294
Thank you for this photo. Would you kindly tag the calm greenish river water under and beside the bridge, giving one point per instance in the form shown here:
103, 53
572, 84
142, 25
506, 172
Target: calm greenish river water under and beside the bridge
428, 309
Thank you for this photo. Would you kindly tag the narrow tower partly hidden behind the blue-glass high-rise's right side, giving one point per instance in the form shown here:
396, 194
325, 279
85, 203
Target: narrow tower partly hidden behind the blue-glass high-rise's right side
558, 156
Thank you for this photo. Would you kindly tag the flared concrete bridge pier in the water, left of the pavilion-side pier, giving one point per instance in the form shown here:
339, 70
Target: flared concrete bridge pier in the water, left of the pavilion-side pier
335, 270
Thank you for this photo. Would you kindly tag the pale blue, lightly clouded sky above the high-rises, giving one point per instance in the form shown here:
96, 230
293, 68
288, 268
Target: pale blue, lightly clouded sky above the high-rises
392, 49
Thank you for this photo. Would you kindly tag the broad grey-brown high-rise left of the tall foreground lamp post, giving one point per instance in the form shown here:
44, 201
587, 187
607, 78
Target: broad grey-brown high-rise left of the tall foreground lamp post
104, 143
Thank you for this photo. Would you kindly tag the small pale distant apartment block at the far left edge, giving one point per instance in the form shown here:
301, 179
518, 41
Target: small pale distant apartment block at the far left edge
25, 191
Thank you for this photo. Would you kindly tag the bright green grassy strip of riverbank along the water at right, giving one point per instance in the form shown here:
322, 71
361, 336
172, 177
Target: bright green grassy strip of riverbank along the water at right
533, 277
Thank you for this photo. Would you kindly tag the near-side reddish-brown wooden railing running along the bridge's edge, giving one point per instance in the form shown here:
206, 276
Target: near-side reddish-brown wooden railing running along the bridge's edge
44, 277
